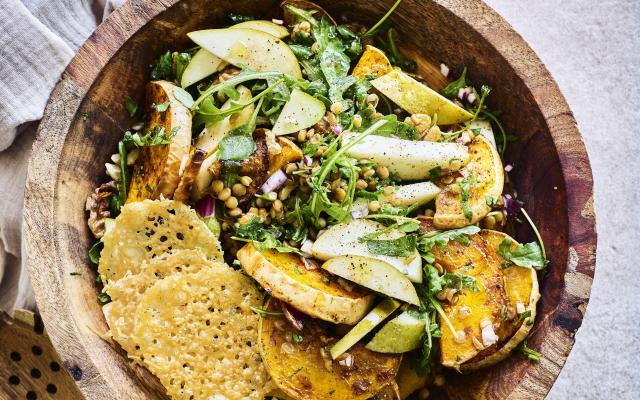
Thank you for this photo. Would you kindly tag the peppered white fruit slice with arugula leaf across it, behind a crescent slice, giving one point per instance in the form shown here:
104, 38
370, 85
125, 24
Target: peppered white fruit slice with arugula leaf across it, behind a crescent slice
344, 239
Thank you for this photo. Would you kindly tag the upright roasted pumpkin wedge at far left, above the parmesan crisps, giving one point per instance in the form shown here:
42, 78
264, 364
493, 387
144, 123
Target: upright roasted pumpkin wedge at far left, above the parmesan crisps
157, 169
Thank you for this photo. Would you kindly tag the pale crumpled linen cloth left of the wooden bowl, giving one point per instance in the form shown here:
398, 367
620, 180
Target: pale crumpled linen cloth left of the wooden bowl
38, 38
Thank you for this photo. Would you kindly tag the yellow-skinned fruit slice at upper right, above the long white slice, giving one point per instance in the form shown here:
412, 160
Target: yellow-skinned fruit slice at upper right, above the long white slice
416, 98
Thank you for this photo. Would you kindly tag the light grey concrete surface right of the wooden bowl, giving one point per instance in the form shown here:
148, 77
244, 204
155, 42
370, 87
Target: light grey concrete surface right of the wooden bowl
592, 48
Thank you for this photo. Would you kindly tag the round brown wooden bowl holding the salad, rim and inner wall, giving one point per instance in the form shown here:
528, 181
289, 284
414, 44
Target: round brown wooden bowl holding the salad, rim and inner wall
85, 118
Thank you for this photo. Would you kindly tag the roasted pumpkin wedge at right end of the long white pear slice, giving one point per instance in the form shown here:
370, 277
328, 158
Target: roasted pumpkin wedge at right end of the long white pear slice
465, 202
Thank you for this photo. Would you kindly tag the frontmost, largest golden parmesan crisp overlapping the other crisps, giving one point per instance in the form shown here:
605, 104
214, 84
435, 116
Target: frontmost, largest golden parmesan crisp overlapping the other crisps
198, 335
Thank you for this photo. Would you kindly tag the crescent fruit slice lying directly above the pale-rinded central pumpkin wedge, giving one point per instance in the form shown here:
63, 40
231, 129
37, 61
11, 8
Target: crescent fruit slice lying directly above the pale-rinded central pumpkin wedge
374, 274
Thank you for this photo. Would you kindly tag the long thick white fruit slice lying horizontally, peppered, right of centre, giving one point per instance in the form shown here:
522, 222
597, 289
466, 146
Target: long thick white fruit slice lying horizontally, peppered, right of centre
411, 160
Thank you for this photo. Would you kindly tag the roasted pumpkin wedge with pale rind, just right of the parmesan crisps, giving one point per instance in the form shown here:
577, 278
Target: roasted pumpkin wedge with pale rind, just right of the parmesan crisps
312, 291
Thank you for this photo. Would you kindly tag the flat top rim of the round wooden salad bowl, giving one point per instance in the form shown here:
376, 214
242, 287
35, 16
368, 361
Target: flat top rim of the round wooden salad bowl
103, 44
